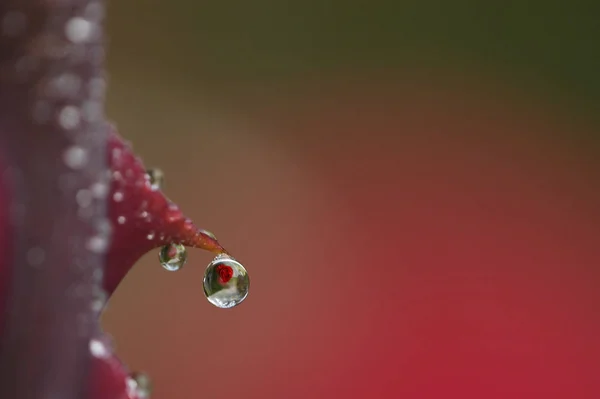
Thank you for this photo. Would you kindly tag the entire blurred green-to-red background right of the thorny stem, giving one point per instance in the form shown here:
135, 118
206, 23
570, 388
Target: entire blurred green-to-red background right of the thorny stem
412, 185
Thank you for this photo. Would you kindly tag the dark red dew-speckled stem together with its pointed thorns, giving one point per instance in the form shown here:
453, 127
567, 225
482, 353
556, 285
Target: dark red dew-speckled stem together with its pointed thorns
76, 210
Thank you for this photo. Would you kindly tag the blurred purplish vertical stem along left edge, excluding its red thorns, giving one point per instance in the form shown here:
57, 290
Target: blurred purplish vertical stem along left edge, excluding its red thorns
53, 147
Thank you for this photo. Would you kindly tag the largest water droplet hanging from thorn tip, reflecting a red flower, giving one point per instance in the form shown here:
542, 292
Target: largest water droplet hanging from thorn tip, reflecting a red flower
226, 282
